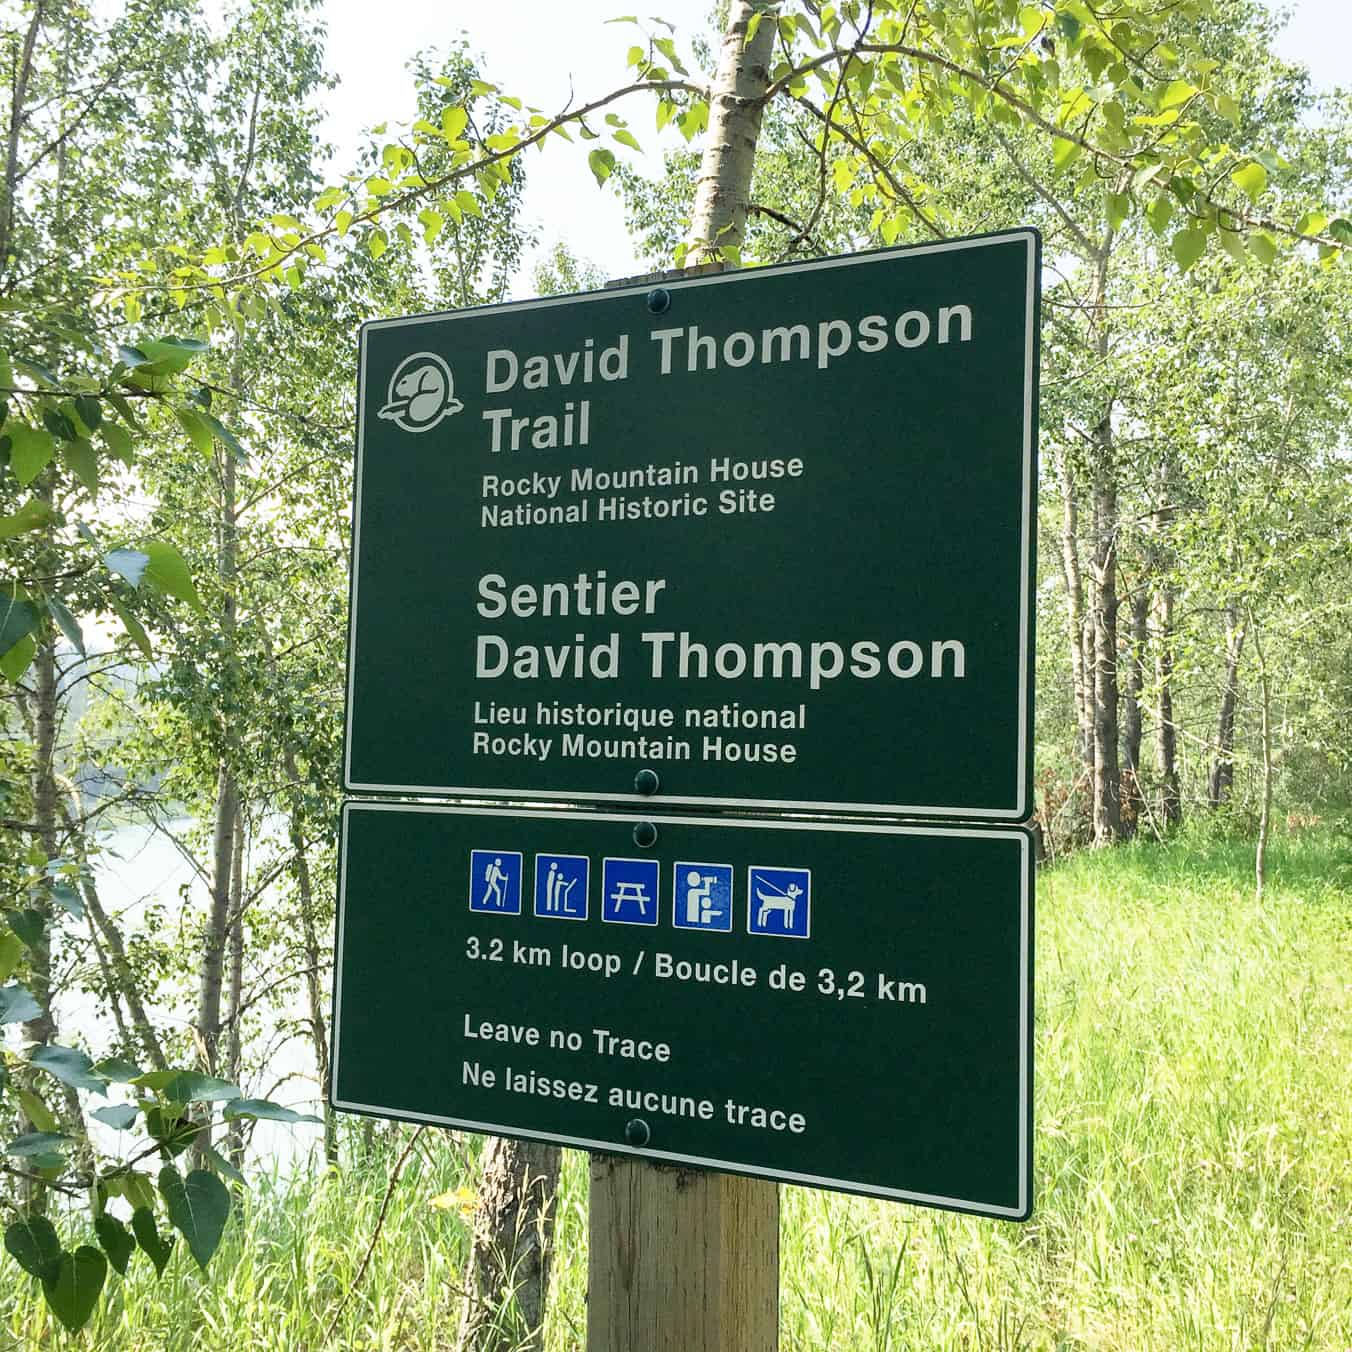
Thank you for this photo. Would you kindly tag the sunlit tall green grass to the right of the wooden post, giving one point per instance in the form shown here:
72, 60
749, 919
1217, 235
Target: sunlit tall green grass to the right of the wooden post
1194, 1132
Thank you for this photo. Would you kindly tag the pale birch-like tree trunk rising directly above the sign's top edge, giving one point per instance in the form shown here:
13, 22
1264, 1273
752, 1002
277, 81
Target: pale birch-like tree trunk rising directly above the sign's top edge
724, 187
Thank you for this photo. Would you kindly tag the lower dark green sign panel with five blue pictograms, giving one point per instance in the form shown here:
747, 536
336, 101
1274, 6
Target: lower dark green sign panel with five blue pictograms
836, 1007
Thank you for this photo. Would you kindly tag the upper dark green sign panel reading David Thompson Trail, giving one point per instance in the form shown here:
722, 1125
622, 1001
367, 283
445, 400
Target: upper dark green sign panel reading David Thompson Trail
769, 535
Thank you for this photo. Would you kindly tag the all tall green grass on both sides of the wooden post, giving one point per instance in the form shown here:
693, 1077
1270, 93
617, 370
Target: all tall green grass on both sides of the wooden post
1194, 1165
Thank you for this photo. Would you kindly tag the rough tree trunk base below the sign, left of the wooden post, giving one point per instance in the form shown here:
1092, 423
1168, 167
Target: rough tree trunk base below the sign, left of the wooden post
508, 1277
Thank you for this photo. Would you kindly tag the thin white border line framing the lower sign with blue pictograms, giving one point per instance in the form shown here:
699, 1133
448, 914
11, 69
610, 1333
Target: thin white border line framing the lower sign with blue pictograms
1025, 1034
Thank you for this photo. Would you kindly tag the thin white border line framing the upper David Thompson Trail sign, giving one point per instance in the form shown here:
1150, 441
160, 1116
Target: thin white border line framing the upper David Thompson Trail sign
1023, 808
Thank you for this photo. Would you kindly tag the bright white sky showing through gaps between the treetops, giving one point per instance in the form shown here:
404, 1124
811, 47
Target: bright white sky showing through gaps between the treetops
544, 51
